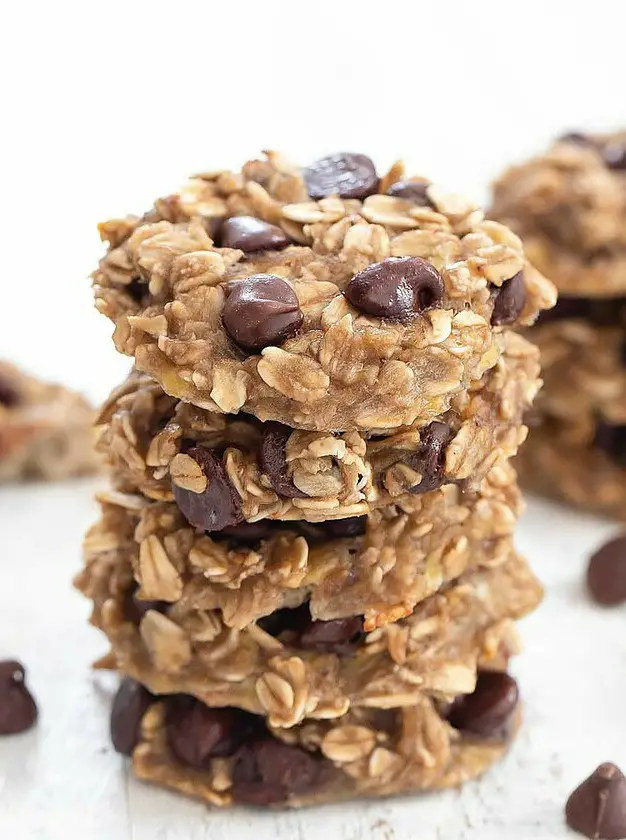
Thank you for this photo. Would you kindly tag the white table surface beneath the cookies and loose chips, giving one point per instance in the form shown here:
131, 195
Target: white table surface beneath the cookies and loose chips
63, 780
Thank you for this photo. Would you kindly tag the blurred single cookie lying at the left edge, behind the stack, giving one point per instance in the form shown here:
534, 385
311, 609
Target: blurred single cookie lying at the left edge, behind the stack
45, 430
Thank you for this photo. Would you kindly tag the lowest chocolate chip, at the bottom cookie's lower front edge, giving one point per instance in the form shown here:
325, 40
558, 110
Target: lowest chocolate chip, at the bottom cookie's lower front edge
266, 771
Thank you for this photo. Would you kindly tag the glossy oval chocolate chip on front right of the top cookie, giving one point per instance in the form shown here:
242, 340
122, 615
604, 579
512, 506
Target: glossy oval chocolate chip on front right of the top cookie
398, 288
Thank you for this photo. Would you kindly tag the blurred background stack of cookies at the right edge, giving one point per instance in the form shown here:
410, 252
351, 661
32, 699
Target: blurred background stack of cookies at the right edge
569, 206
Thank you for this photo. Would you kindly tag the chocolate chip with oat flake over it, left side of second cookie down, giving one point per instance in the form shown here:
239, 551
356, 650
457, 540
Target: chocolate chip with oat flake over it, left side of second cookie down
219, 506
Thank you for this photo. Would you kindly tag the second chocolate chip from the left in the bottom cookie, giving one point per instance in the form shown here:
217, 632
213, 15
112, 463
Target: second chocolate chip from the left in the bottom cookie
196, 733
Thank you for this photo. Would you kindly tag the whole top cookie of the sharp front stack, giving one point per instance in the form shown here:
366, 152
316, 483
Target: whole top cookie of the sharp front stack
325, 298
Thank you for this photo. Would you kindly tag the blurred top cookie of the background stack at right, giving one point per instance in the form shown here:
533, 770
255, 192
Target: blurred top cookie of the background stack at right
569, 207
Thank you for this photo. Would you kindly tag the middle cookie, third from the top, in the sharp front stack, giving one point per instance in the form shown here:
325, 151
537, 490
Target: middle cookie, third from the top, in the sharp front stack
378, 566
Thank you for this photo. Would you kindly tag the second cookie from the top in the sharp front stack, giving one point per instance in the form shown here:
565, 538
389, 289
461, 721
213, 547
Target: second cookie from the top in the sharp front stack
223, 470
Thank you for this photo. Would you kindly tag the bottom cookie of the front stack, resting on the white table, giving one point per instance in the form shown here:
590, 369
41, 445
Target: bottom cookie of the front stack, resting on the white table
227, 757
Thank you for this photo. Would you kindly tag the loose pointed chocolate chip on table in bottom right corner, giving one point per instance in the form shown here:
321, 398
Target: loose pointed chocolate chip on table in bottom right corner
597, 808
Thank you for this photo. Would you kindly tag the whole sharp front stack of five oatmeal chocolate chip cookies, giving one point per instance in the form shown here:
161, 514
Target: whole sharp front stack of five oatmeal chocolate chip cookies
304, 565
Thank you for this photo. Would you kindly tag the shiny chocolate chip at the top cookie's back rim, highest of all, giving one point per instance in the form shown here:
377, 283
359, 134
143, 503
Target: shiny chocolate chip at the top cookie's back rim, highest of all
344, 174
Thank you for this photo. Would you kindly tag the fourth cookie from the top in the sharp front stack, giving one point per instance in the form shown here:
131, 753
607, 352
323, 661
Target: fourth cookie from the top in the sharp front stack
288, 666
